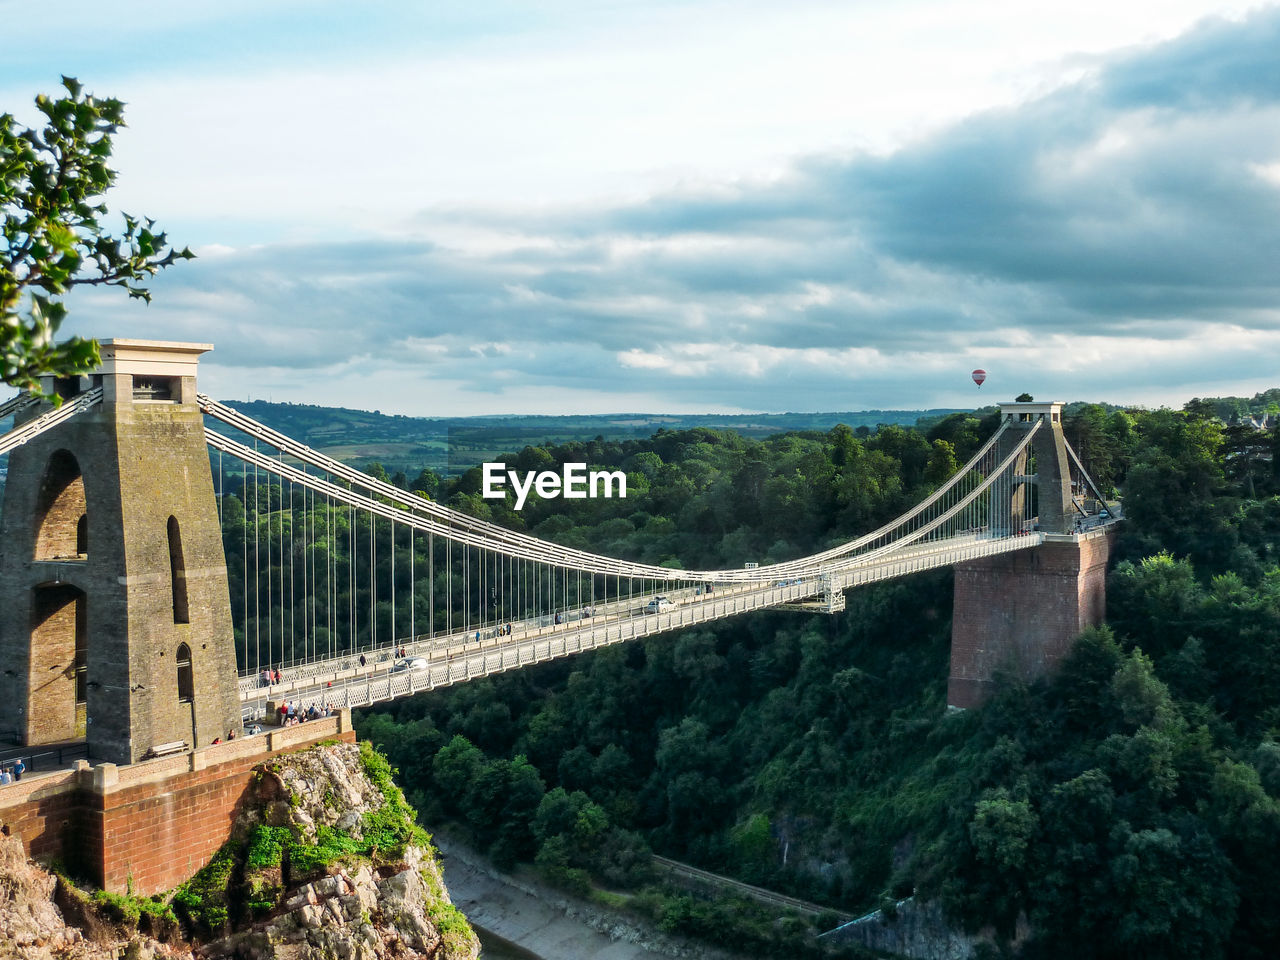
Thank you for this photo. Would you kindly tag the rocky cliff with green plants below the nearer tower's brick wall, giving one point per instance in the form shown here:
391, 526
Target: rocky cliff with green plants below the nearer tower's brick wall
324, 862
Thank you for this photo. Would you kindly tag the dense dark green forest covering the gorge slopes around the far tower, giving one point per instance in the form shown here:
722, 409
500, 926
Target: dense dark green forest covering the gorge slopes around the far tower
1128, 807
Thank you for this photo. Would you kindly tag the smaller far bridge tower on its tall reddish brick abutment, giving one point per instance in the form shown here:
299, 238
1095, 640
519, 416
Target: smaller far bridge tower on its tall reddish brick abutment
1020, 612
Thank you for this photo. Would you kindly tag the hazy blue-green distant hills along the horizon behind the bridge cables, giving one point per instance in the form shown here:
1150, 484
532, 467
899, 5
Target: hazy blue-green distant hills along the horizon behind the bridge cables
451, 446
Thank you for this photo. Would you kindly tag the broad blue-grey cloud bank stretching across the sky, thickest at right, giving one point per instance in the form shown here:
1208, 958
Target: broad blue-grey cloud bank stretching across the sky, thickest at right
1130, 204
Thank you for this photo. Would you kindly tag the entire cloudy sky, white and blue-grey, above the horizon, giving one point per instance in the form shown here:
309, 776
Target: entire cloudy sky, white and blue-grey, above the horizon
646, 205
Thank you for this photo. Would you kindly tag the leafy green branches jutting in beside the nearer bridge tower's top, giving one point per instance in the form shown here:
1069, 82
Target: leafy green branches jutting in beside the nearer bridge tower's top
52, 186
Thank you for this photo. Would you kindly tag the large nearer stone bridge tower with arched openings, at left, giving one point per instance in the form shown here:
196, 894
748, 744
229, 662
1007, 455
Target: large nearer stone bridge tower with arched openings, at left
115, 614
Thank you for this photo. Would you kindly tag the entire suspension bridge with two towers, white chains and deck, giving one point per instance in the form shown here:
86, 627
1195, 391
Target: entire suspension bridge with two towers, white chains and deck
125, 629
